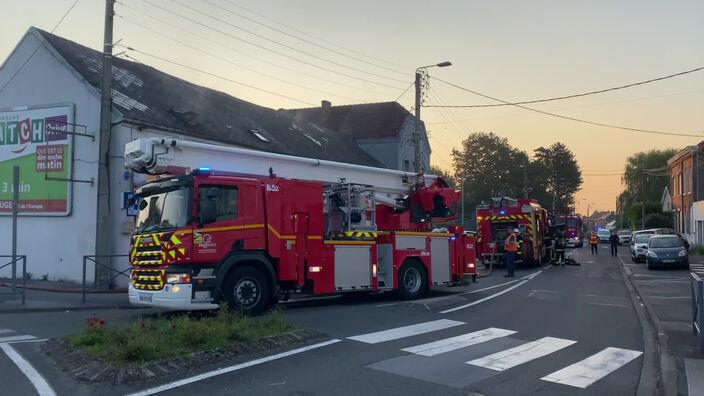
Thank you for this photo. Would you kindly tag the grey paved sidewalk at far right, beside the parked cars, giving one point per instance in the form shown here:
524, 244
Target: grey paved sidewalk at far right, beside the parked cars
666, 295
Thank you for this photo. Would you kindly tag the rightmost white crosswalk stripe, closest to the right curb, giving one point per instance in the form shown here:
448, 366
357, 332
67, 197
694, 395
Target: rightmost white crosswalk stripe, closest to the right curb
588, 371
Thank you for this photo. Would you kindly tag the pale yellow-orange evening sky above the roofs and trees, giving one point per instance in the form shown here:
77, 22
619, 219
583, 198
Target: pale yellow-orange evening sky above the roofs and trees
367, 51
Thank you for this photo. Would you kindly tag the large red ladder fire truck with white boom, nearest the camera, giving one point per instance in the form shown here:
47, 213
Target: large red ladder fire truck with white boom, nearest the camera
252, 227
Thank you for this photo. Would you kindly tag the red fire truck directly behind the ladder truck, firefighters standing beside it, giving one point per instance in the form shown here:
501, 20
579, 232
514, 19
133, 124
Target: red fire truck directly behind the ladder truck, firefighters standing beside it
496, 219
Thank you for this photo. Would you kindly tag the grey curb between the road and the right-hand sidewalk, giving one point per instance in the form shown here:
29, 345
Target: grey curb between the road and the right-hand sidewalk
658, 364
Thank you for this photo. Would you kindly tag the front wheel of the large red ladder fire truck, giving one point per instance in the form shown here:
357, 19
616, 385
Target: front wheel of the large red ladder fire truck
247, 290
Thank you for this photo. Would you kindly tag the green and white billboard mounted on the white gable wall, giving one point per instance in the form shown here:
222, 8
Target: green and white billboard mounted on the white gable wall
32, 138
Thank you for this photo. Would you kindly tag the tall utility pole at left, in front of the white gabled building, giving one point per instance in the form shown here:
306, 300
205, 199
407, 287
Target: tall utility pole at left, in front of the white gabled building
102, 226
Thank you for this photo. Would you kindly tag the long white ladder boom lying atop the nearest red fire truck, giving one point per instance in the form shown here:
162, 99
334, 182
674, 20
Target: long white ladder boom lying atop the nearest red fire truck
158, 155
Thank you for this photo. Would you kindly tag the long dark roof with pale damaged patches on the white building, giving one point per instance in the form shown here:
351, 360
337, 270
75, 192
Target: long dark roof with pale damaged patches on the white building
148, 97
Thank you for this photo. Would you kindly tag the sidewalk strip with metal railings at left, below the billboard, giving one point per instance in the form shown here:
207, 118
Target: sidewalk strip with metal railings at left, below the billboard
51, 296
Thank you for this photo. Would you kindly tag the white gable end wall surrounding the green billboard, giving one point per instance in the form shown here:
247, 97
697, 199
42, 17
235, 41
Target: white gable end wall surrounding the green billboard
54, 245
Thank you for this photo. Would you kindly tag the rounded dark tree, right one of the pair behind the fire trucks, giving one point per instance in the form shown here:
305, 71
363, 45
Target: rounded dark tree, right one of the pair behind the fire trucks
561, 173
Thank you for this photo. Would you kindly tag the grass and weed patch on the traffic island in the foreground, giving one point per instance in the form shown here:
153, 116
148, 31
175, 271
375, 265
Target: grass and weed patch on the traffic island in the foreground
161, 338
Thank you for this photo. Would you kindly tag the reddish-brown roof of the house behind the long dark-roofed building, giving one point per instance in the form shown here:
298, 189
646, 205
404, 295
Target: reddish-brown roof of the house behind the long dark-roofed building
361, 121
